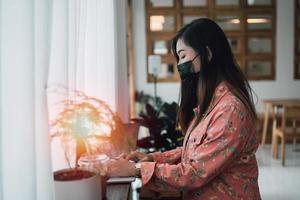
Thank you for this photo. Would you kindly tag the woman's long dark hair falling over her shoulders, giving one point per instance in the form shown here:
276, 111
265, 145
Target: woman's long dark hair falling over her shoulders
203, 34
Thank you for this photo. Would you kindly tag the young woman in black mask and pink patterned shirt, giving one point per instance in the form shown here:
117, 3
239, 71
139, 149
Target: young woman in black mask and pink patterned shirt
217, 116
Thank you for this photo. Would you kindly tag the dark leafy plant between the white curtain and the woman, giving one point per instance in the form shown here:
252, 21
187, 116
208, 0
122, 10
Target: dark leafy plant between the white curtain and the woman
160, 119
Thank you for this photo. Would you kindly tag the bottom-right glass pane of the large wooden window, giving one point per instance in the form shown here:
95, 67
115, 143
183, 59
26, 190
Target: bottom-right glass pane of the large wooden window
258, 68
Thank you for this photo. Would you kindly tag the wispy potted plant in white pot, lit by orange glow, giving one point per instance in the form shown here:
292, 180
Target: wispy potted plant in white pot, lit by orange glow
85, 126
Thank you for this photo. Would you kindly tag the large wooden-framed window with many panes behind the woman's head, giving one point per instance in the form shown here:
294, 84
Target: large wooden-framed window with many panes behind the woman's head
248, 24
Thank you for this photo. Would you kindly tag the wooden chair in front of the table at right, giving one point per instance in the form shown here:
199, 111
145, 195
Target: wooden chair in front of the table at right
284, 130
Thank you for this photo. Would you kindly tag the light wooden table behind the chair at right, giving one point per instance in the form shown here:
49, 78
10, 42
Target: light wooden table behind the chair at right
269, 105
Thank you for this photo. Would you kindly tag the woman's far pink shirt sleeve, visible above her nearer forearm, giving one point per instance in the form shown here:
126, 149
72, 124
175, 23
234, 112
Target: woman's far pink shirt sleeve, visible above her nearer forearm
171, 157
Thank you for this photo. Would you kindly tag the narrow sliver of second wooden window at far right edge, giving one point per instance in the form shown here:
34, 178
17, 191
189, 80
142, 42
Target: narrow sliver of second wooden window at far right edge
297, 40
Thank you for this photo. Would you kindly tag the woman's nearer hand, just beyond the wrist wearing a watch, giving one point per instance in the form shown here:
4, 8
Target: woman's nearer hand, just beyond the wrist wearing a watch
120, 168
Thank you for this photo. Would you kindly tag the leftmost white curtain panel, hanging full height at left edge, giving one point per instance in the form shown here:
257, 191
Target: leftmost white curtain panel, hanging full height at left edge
24, 59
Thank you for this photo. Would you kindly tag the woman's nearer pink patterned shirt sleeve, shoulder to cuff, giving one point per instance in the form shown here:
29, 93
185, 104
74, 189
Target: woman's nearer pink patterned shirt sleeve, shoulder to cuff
225, 140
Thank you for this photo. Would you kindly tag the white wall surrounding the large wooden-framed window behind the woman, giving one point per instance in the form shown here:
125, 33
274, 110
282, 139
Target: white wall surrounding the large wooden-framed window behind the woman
284, 86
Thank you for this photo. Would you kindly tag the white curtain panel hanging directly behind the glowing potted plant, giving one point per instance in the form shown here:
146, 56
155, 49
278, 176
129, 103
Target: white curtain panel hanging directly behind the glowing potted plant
88, 53
